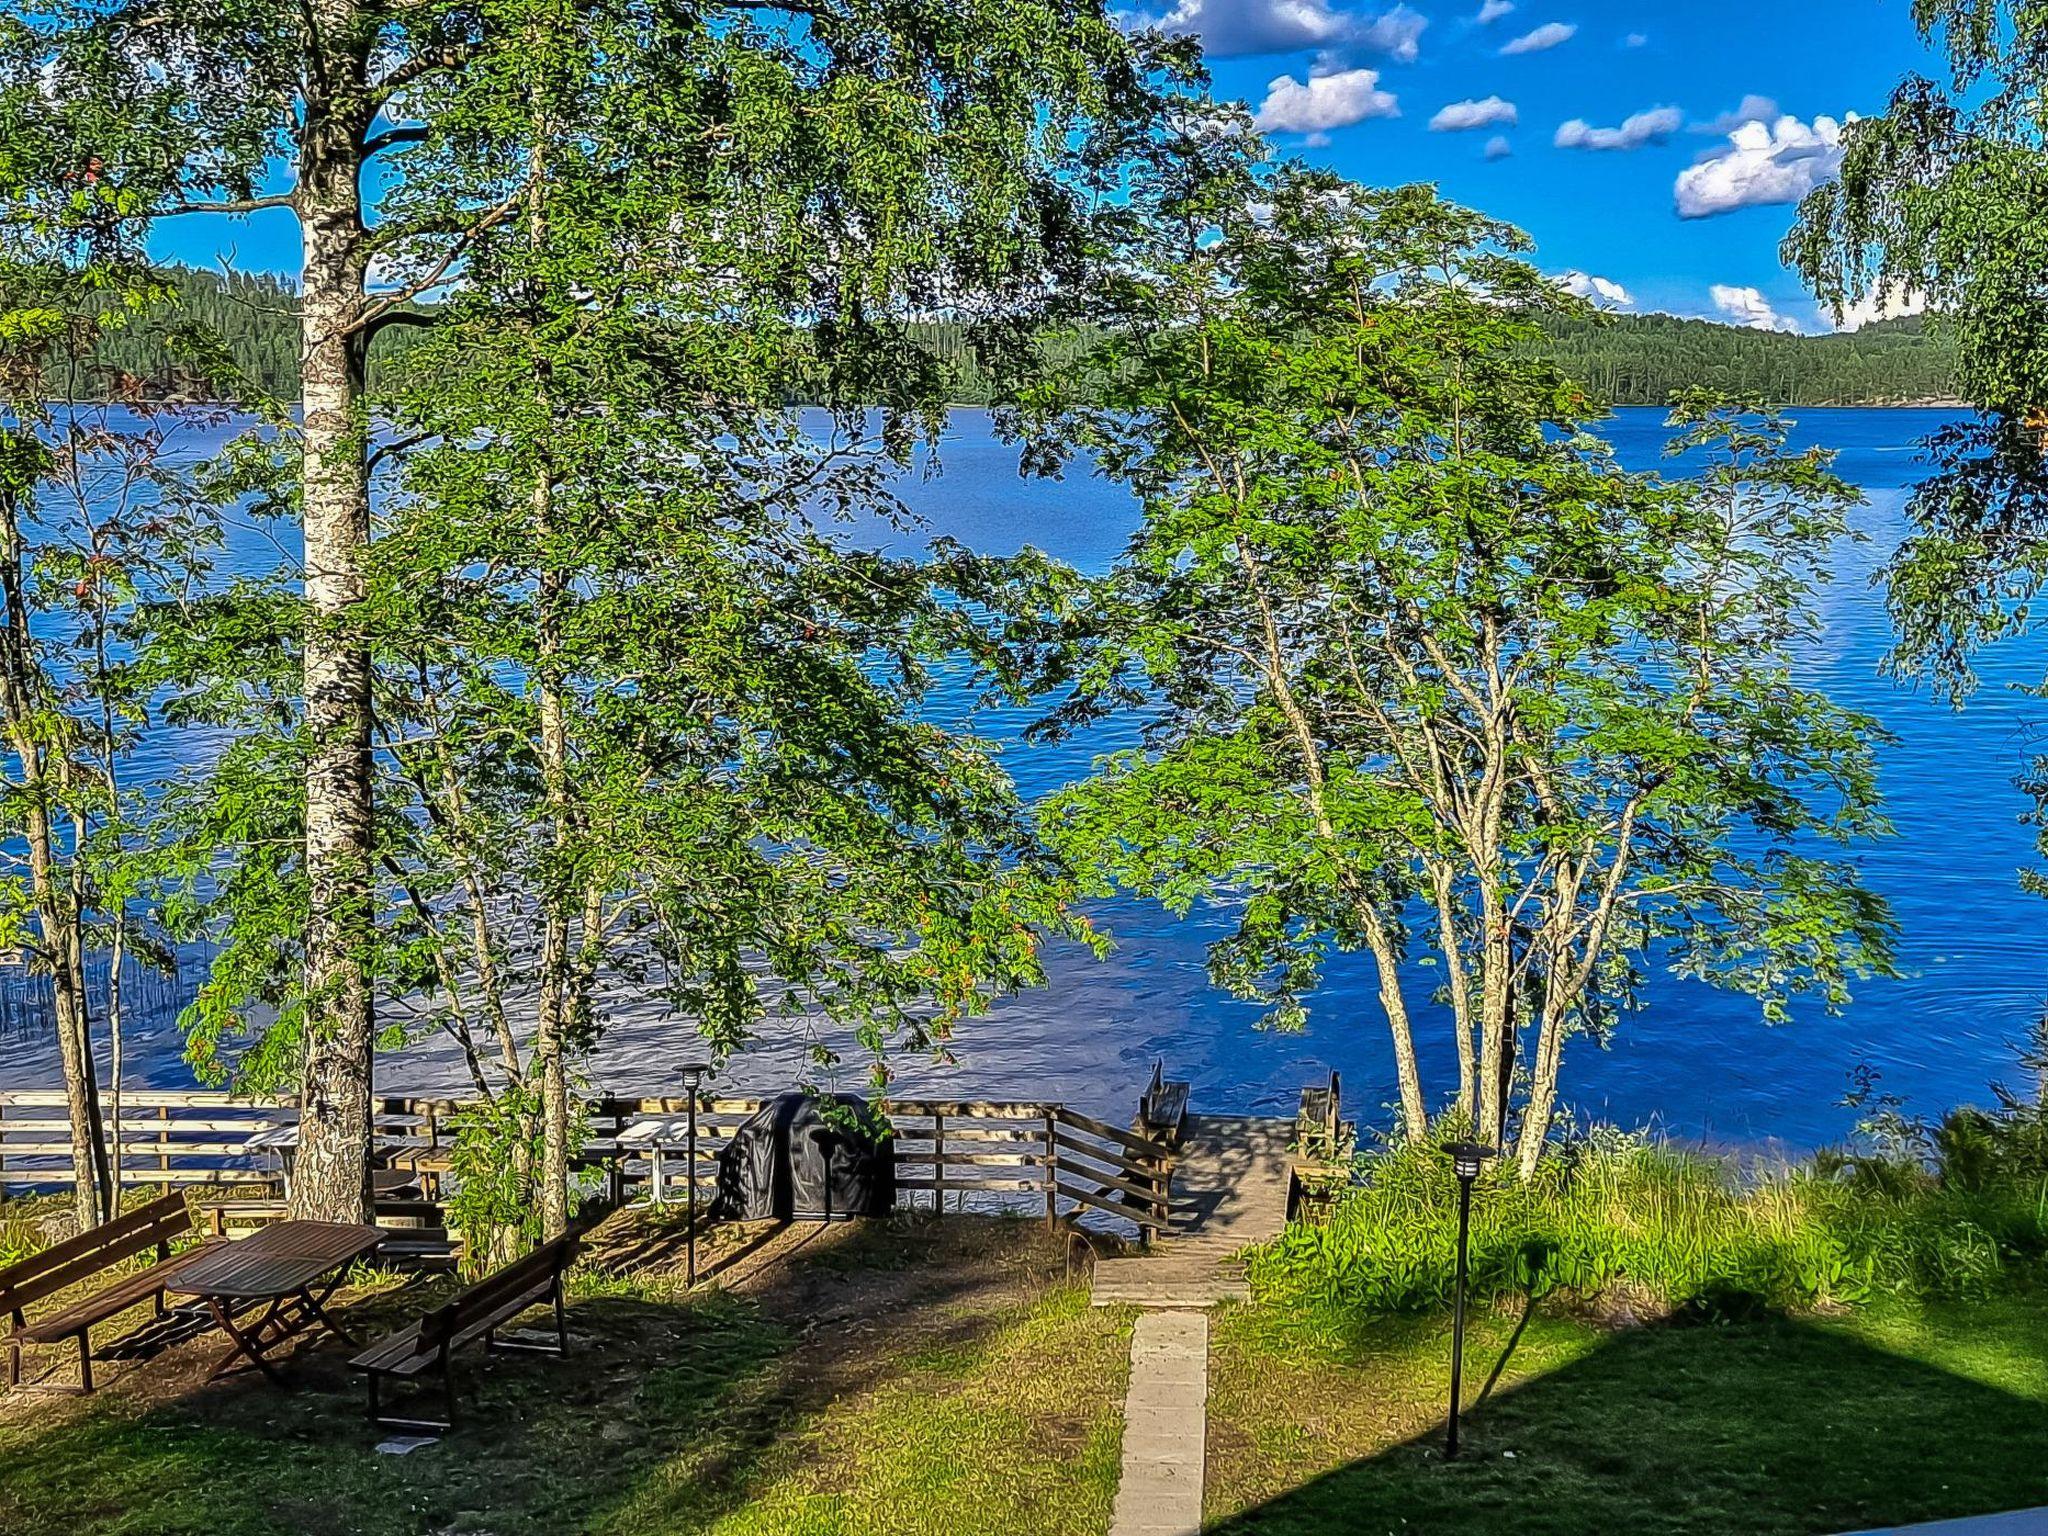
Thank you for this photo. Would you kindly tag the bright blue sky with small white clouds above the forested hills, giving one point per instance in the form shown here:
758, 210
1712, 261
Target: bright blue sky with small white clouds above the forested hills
1596, 124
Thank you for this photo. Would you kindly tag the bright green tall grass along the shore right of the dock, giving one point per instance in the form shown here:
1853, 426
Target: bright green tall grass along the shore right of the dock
1650, 1226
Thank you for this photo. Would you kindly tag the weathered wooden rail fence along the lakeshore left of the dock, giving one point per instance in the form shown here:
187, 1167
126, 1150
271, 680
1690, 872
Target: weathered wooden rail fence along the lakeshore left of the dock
1043, 1156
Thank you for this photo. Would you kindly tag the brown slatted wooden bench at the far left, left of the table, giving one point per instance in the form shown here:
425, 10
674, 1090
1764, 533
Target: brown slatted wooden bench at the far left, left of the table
83, 1258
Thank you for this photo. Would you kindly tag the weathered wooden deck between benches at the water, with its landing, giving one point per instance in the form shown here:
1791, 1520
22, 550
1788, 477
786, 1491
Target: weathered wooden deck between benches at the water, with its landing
1230, 1191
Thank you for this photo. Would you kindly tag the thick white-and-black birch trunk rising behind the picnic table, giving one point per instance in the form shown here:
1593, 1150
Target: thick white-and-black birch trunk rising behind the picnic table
331, 1179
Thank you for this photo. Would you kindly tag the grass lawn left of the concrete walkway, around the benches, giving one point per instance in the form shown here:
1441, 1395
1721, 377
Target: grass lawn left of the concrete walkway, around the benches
896, 1377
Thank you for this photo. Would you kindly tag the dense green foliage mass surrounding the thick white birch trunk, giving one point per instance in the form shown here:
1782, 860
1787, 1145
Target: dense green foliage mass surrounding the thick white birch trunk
658, 716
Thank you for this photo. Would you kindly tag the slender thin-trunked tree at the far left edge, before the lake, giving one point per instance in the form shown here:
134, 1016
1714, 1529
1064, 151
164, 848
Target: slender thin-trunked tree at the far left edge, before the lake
87, 544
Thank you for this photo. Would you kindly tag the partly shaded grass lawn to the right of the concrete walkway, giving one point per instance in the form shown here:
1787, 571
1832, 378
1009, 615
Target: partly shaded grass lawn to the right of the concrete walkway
1322, 1424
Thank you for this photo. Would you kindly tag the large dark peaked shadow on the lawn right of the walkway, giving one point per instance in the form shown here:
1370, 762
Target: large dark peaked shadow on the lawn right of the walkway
1770, 1426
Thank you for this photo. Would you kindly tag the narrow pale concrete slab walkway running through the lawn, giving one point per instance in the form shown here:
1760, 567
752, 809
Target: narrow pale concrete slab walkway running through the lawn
1166, 1426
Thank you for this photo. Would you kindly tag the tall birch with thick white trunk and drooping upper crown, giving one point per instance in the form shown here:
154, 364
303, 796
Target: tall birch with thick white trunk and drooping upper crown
931, 136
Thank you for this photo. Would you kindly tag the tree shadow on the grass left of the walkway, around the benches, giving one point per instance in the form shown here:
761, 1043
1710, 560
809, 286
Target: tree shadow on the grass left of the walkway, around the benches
658, 1422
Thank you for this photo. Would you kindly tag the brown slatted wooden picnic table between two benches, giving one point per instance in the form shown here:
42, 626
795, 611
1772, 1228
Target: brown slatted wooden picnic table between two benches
284, 1273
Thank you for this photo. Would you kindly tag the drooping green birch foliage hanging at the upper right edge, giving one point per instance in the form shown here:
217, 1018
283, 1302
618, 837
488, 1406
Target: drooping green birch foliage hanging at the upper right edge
1938, 198
